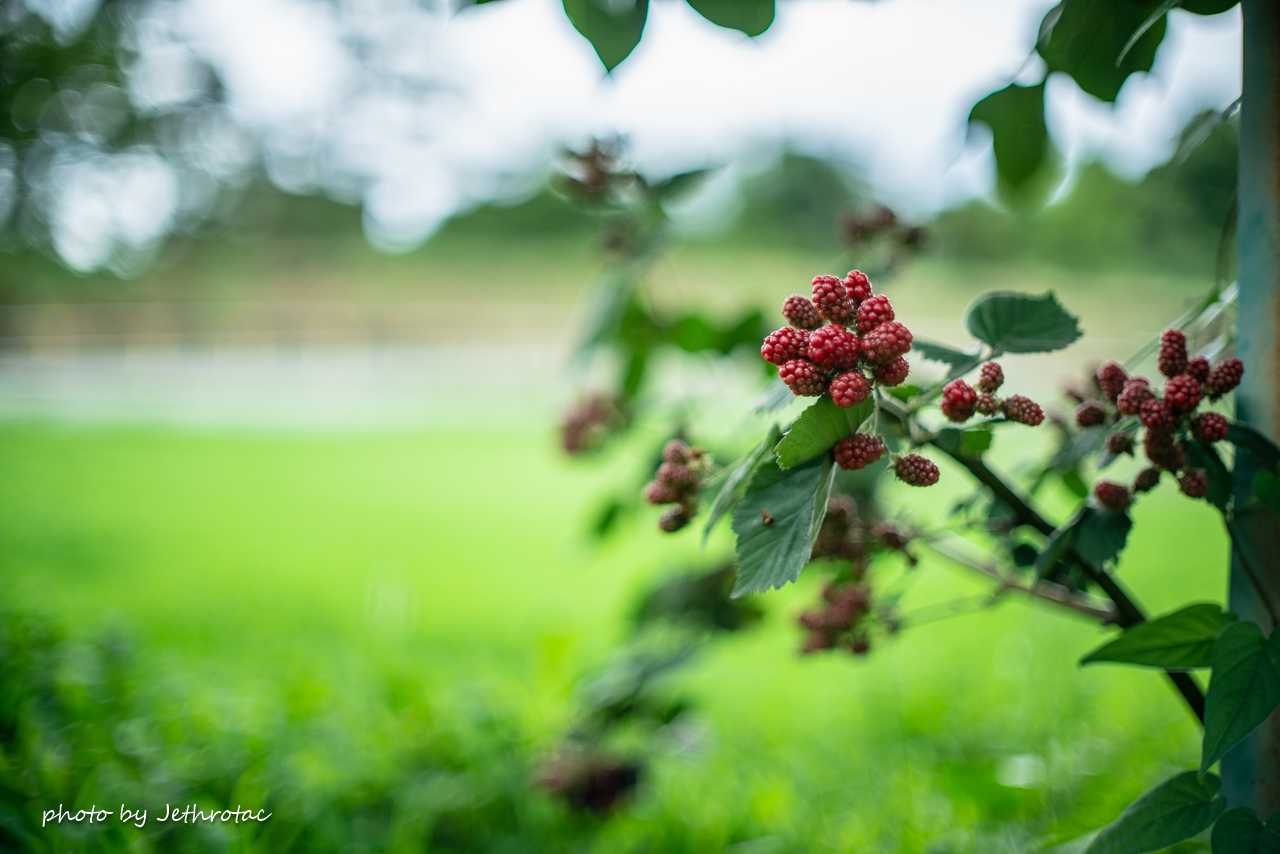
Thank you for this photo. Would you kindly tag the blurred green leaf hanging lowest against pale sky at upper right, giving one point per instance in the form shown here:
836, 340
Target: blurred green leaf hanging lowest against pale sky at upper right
1020, 138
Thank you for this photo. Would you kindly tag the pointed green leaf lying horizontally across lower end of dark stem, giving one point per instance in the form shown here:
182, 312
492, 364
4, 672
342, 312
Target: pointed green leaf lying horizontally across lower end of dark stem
1180, 641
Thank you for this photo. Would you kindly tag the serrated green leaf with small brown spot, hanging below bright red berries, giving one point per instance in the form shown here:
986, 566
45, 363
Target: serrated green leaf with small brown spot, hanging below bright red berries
778, 522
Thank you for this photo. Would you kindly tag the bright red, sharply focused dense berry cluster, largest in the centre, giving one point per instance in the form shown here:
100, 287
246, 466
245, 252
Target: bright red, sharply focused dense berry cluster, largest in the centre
843, 340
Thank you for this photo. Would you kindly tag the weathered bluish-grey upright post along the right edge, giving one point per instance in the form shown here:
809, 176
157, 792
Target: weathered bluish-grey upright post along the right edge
1251, 773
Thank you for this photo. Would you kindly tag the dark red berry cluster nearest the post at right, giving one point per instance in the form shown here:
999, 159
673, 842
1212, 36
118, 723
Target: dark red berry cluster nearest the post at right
1169, 417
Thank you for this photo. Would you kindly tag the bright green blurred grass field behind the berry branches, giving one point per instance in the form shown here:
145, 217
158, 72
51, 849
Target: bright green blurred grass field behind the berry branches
345, 602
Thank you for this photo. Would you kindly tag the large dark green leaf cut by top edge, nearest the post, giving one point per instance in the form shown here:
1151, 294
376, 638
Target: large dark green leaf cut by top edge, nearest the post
1089, 38
